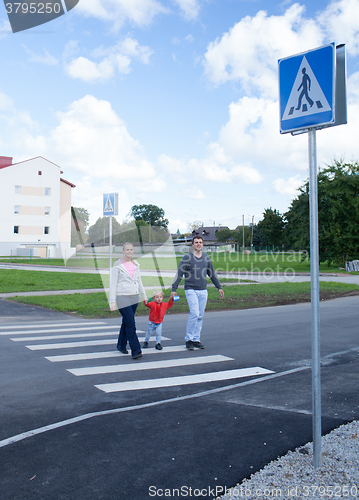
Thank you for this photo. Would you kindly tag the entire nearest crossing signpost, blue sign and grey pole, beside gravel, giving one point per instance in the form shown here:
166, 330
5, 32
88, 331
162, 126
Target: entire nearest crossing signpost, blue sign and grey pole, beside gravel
312, 95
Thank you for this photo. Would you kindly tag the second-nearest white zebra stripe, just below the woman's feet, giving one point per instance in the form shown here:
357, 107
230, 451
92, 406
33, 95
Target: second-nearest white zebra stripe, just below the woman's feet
149, 365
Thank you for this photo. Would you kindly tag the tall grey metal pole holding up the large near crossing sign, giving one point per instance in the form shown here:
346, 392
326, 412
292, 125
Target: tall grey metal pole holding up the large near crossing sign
314, 273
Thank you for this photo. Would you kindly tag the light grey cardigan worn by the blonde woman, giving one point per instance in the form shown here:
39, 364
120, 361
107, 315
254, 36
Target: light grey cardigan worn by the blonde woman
123, 284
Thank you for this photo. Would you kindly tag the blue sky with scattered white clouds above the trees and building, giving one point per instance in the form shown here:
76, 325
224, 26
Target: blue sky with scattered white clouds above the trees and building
173, 102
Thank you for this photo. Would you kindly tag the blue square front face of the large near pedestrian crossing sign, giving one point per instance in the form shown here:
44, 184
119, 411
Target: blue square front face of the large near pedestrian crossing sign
307, 89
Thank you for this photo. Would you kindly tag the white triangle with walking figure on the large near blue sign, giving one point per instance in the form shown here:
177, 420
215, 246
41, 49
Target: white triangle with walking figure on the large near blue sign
309, 88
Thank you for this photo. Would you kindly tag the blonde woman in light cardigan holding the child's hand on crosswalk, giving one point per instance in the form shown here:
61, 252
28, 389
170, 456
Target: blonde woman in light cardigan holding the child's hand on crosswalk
126, 285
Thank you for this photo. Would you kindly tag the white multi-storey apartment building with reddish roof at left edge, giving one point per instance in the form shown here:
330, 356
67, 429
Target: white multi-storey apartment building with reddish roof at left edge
35, 209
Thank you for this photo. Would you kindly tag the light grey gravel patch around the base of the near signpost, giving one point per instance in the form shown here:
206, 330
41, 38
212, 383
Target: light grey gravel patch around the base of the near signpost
294, 476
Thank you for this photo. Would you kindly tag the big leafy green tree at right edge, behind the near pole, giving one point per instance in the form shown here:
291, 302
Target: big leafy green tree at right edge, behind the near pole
338, 213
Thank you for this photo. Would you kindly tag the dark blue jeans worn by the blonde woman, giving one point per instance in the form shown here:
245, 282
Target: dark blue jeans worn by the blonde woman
127, 308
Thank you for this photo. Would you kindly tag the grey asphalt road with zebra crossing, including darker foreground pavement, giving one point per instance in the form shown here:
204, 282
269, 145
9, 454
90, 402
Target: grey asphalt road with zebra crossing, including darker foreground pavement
64, 437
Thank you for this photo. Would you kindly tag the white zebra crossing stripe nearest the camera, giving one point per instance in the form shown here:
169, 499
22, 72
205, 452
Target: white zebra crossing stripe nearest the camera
185, 380
